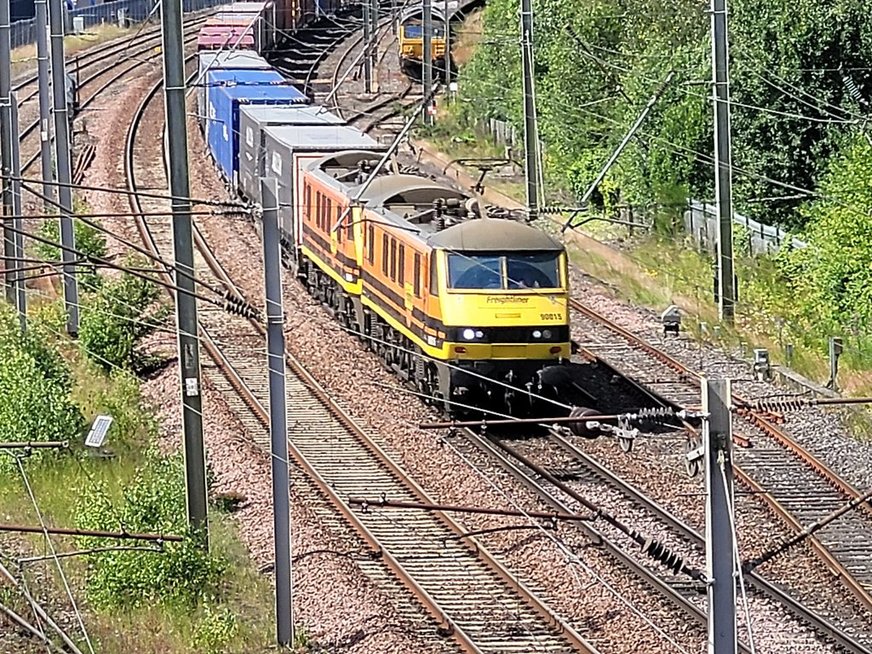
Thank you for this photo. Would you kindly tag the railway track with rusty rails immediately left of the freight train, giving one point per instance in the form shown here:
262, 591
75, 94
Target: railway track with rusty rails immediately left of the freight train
469, 595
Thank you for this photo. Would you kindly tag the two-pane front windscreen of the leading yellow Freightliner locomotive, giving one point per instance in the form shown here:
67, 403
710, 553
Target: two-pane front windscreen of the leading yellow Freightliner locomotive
517, 271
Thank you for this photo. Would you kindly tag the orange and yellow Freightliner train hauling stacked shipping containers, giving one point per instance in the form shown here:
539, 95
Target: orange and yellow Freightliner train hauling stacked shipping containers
469, 309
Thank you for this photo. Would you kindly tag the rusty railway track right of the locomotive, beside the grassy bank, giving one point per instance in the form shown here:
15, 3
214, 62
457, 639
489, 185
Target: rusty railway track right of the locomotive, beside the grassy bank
797, 486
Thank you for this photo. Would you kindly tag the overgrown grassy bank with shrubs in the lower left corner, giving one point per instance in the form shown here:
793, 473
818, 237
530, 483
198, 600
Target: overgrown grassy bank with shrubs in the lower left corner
132, 601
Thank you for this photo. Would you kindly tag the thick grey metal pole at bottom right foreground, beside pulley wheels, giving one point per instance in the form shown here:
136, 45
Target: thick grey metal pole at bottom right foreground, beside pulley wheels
720, 544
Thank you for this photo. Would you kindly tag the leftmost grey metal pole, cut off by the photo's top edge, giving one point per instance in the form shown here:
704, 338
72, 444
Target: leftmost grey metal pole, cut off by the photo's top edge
6, 148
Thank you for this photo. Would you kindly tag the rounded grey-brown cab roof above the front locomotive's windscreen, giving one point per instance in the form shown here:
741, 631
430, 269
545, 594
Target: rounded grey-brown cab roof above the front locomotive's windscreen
493, 235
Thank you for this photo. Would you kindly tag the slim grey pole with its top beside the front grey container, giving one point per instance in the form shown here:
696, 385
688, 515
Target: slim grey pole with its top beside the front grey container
278, 417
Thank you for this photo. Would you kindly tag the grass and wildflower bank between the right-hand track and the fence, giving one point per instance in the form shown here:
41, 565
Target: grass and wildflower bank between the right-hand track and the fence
655, 271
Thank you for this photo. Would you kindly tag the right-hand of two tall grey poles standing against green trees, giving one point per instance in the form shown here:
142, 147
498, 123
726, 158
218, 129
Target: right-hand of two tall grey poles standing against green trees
723, 161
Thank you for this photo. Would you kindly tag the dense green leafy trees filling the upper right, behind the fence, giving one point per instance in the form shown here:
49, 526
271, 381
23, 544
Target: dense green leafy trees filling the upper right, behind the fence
799, 82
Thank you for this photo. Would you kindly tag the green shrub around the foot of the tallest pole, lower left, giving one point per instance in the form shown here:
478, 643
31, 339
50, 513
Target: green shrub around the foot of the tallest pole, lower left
181, 575
